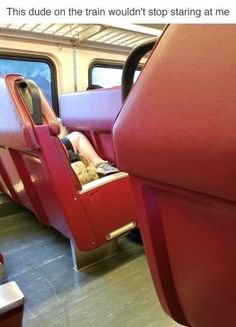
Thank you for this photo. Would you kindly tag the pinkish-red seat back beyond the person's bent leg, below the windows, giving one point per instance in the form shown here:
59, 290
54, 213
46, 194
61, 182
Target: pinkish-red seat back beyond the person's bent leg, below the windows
93, 112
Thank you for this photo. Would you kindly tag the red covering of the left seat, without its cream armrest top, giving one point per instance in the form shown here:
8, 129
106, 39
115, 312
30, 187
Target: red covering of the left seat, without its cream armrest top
54, 189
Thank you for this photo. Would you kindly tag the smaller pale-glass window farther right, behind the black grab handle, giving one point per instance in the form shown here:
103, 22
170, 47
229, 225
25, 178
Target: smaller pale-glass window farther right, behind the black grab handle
107, 75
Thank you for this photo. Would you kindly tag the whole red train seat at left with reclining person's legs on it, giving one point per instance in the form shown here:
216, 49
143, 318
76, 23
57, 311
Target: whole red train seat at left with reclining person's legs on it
90, 216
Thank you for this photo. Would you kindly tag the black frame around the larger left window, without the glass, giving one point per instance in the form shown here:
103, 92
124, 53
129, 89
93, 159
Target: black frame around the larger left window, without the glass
43, 59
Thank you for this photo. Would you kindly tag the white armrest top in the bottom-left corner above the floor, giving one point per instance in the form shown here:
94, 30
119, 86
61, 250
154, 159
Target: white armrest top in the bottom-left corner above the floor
11, 297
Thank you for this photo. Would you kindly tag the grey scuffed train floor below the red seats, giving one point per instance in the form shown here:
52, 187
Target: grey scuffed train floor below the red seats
115, 292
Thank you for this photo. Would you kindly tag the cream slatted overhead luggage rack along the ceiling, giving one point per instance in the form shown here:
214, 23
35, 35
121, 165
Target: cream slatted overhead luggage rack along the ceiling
125, 36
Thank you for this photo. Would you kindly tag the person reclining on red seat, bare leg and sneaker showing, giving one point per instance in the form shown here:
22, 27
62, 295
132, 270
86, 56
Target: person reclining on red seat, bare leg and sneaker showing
78, 145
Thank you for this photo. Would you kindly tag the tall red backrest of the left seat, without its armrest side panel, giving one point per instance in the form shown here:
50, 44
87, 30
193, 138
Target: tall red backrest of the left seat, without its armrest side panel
41, 160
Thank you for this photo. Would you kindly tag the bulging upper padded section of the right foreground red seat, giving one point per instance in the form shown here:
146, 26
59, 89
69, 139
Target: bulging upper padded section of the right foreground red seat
178, 125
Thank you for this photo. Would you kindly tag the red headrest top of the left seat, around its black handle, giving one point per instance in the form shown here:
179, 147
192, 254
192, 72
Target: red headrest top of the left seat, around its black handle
16, 109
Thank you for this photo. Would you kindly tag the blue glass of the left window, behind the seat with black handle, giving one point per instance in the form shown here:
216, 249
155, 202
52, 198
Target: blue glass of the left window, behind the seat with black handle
40, 72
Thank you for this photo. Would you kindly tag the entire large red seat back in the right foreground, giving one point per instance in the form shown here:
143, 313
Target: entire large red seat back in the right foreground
181, 155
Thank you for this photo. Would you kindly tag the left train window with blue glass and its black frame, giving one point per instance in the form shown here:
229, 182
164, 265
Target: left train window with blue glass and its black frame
39, 70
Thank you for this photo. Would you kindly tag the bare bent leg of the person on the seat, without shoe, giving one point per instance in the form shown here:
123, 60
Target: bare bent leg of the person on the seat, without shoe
82, 145
